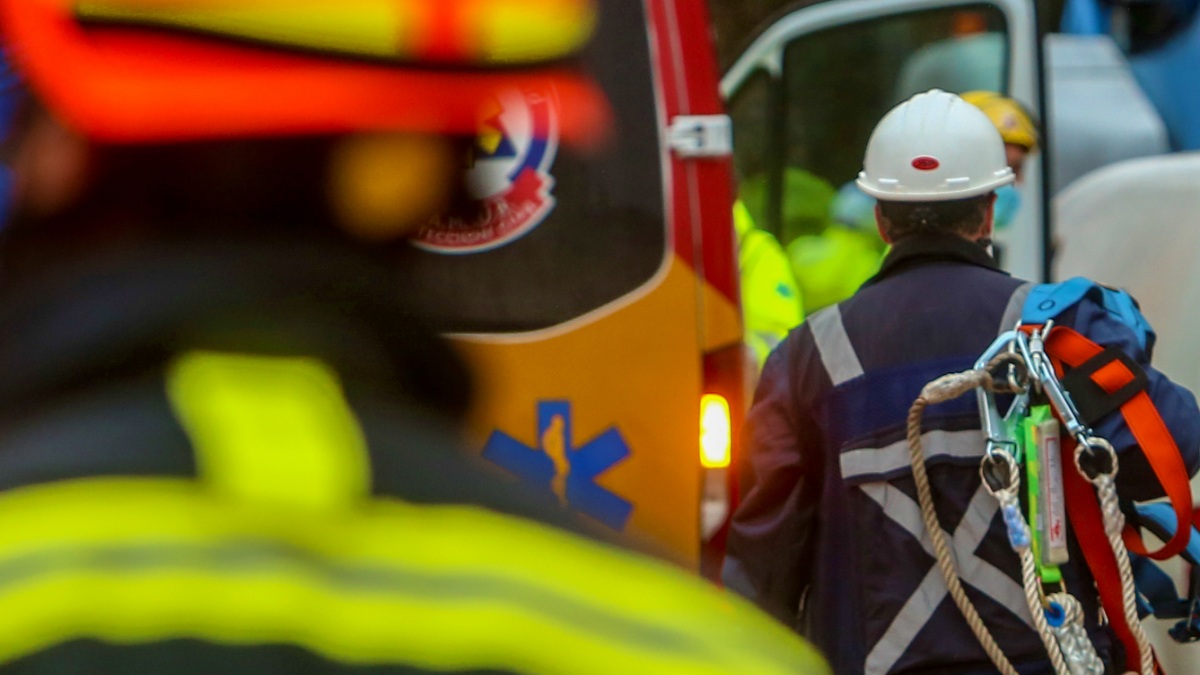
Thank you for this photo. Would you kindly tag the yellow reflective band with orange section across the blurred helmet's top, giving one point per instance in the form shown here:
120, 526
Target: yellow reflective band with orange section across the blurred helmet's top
495, 32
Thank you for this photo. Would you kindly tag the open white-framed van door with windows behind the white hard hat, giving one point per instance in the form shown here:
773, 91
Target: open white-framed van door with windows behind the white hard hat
806, 95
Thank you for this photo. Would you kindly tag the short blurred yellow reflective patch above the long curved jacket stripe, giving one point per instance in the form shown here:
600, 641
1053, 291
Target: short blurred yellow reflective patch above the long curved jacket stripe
271, 429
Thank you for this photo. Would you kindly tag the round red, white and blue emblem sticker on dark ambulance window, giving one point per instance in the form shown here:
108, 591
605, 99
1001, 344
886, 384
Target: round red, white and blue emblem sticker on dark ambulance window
508, 174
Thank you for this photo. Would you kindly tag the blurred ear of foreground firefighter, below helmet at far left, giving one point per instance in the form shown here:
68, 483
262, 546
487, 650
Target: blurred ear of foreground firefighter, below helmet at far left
50, 165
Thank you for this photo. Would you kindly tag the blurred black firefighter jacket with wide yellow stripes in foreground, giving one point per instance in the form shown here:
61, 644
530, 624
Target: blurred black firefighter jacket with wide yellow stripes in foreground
220, 458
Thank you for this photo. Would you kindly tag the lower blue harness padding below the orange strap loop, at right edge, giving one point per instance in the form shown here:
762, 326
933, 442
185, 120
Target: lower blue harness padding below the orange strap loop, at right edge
1156, 590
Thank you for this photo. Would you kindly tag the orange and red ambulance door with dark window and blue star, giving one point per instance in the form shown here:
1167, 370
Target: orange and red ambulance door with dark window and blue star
595, 292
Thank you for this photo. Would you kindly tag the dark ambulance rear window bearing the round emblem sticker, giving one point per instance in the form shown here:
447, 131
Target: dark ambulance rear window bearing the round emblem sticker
561, 234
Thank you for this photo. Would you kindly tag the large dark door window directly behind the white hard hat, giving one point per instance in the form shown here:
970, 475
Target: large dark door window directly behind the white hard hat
839, 82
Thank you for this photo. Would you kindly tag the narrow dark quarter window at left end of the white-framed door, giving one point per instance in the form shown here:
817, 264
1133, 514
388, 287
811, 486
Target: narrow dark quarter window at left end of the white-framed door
752, 112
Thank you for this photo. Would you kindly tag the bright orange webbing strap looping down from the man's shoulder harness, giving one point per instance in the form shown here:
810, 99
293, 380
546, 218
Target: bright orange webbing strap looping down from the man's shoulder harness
1070, 348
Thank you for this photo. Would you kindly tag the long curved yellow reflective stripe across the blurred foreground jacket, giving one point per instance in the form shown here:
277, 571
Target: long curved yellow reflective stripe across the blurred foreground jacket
441, 588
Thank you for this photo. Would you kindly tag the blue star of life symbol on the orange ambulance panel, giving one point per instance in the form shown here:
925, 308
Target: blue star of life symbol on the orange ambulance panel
567, 471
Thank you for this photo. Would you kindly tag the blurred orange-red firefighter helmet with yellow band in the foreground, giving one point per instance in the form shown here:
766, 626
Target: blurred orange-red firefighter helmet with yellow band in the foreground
137, 71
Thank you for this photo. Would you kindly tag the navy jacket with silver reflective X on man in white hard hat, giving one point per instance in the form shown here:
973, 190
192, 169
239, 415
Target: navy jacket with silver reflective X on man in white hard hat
829, 536
